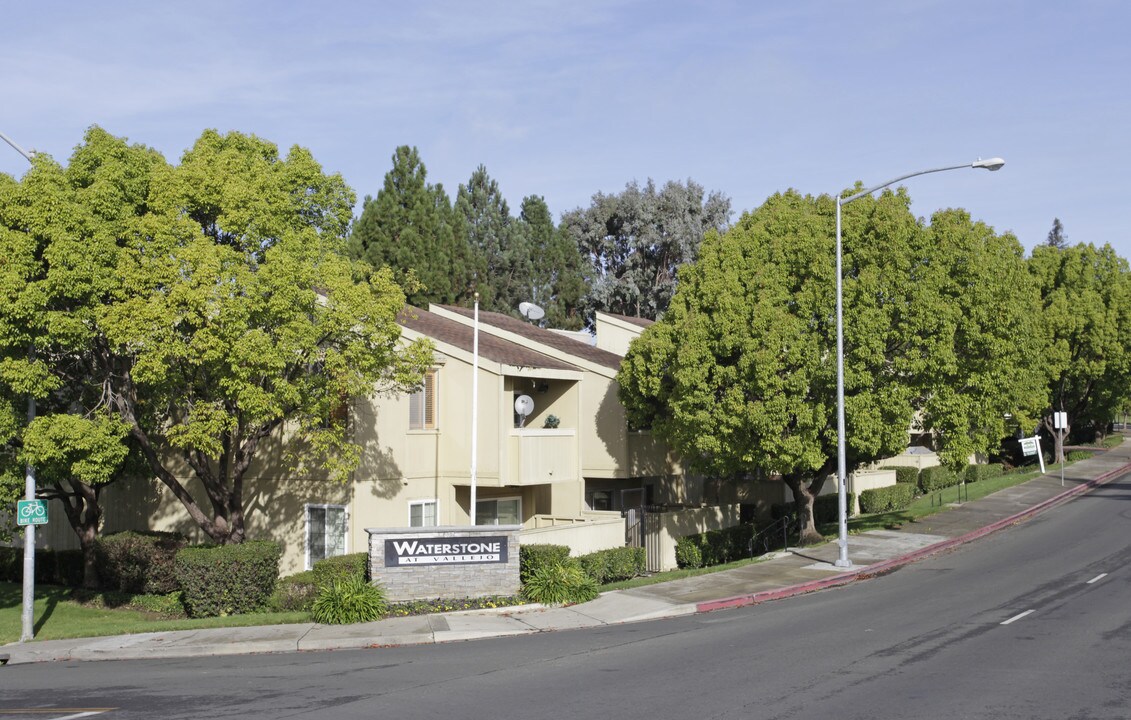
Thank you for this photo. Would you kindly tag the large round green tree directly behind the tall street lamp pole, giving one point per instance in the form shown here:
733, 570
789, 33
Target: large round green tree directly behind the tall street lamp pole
740, 377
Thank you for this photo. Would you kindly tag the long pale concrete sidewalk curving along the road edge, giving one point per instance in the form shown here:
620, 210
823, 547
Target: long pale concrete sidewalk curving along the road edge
789, 574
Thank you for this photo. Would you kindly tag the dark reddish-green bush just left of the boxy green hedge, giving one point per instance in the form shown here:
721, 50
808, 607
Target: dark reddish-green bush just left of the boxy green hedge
140, 562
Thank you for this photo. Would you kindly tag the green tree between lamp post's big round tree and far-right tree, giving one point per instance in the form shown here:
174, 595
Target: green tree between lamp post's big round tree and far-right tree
978, 332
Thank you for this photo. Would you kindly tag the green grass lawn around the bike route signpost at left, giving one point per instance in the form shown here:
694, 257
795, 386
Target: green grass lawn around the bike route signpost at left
58, 617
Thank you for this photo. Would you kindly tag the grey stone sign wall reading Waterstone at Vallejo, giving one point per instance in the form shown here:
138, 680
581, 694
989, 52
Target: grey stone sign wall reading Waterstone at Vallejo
445, 562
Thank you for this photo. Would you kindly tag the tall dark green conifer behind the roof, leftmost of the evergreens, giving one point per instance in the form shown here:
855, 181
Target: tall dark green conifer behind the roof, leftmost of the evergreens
412, 229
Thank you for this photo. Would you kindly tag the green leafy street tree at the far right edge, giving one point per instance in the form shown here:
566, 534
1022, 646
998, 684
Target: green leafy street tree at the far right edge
1086, 294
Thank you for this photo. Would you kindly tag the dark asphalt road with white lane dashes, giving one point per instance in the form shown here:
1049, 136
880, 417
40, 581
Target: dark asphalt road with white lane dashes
1032, 622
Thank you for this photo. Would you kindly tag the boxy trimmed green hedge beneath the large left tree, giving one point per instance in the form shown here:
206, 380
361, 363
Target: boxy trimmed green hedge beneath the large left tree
228, 579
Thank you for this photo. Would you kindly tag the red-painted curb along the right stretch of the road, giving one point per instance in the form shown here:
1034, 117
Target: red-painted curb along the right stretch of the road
888, 566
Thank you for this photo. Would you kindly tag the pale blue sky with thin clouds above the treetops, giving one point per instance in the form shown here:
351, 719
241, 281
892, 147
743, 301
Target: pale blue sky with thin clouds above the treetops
566, 100
